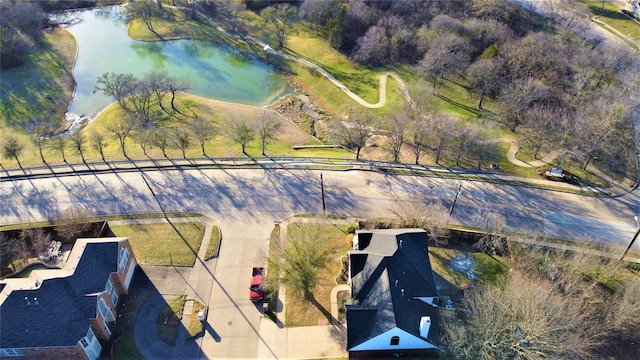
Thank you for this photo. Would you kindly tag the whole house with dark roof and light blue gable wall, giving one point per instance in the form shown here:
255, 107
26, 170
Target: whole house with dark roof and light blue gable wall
393, 311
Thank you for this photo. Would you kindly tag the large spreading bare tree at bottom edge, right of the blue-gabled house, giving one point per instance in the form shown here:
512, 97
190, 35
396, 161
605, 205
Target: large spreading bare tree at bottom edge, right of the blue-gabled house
526, 318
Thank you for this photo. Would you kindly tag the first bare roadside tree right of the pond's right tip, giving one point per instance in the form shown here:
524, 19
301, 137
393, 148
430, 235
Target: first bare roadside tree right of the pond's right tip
355, 132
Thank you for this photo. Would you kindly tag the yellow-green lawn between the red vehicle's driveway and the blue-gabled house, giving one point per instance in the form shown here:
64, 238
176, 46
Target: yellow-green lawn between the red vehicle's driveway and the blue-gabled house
301, 312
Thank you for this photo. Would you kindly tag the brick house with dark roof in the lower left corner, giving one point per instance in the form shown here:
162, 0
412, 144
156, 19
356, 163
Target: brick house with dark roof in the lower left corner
65, 313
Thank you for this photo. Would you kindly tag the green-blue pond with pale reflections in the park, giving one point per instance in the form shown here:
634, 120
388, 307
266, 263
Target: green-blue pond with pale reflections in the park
215, 71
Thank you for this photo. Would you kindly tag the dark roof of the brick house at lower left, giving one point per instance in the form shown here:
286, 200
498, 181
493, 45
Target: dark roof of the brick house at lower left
64, 305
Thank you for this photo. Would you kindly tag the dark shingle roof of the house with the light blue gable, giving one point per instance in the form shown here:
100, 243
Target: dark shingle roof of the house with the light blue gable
387, 272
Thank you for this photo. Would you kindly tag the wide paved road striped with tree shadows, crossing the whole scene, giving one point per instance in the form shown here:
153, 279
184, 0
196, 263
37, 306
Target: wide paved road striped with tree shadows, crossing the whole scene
270, 194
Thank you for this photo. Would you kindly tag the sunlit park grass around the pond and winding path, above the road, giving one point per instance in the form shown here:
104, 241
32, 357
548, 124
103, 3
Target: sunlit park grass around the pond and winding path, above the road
454, 96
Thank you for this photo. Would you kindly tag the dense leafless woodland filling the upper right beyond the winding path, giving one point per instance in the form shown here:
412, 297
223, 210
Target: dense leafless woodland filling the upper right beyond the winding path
547, 84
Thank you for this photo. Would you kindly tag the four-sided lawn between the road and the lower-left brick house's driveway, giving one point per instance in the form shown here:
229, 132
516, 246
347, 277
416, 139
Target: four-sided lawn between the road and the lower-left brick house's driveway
163, 244
